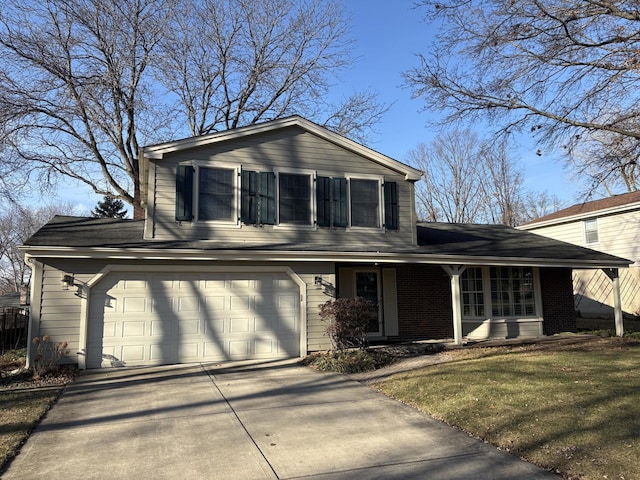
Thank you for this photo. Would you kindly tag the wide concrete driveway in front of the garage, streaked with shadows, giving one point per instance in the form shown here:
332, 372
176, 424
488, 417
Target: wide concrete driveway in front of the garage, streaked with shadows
273, 420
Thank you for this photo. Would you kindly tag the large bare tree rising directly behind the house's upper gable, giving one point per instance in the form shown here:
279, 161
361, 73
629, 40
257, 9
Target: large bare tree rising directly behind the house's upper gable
237, 62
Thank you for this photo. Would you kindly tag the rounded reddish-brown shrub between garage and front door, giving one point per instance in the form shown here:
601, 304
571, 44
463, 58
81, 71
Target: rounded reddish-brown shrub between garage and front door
349, 320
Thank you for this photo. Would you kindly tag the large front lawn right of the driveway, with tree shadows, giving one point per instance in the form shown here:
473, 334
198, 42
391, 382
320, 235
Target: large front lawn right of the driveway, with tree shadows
571, 406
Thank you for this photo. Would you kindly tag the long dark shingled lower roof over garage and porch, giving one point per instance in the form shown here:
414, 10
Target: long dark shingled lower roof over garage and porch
470, 244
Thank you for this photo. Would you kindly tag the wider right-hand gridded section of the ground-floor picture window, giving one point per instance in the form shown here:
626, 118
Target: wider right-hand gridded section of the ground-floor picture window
512, 291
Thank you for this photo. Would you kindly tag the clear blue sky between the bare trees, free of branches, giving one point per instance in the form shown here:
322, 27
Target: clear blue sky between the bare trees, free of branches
388, 35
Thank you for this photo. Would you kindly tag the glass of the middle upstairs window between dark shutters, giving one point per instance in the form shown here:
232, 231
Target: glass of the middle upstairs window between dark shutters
295, 199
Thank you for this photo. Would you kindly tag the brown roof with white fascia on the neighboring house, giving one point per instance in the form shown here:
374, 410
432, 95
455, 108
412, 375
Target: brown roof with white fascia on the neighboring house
604, 206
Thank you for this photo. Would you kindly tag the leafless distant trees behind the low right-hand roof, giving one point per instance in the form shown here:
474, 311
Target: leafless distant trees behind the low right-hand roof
470, 180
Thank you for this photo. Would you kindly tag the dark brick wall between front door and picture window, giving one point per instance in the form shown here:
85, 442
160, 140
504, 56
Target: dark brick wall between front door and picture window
424, 302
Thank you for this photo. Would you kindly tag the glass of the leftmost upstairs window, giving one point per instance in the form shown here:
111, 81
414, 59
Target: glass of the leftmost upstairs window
215, 194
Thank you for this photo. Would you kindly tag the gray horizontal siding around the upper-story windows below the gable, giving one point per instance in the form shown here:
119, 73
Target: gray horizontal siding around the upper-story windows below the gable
286, 149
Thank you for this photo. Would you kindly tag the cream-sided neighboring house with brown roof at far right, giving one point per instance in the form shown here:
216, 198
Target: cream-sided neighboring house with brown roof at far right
610, 225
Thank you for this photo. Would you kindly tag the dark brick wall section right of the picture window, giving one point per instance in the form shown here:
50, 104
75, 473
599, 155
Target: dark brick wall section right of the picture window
557, 300
